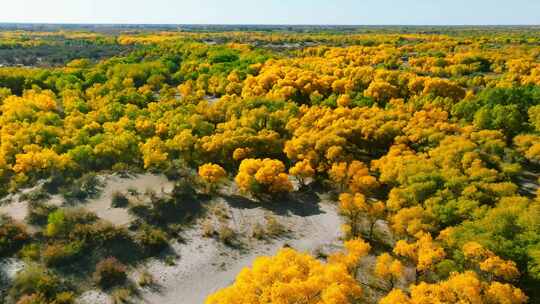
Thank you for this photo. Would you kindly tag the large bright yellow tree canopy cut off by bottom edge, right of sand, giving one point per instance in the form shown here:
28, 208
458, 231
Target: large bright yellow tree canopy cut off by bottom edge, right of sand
290, 277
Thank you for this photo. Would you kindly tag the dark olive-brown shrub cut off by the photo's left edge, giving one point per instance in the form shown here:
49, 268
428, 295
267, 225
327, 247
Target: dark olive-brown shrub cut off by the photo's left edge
12, 236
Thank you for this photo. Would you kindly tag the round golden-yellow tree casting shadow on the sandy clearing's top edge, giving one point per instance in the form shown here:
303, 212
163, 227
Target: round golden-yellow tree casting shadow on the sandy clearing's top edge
265, 176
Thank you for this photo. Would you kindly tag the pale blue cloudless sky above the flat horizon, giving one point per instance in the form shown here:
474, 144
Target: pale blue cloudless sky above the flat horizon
354, 12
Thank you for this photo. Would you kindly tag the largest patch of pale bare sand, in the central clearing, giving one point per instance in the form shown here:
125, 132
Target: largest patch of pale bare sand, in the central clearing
205, 265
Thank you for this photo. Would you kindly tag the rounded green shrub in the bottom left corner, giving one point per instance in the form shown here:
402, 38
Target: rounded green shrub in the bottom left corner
35, 279
